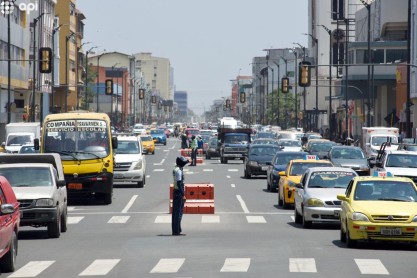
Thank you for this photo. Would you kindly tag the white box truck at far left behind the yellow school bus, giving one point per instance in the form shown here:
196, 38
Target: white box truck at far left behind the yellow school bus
19, 134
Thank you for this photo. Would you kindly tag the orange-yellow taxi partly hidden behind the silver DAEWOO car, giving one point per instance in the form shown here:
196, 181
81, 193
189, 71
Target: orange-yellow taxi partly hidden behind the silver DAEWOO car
292, 175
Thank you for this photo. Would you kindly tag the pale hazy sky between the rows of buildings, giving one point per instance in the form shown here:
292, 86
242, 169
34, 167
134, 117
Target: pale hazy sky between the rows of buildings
207, 42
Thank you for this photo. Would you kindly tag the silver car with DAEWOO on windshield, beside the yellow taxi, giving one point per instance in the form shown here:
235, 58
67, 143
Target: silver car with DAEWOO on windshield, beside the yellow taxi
315, 199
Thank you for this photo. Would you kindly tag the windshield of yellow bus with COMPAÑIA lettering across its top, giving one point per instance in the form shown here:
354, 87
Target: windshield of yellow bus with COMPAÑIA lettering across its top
77, 139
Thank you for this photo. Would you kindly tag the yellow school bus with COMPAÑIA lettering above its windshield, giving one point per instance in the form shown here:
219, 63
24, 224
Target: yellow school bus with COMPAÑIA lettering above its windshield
84, 141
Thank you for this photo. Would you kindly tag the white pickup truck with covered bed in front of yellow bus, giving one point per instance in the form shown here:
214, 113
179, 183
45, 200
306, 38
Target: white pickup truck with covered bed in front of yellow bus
39, 184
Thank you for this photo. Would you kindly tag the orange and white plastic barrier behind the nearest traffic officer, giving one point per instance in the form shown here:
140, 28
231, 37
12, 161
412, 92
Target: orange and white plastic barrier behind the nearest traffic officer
200, 198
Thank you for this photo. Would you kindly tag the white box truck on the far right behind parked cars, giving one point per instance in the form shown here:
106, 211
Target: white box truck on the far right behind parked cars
374, 137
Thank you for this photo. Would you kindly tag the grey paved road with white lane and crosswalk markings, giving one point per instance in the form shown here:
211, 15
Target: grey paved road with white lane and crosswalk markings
248, 236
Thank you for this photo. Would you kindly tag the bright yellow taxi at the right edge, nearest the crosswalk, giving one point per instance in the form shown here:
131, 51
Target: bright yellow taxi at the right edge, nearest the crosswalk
379, 208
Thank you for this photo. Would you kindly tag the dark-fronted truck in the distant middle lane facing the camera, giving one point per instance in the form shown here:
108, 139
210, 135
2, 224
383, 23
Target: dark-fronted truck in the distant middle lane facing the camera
233, 143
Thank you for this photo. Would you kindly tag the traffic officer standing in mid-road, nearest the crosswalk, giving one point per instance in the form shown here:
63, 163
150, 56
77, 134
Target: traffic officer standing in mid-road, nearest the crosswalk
179, 195
